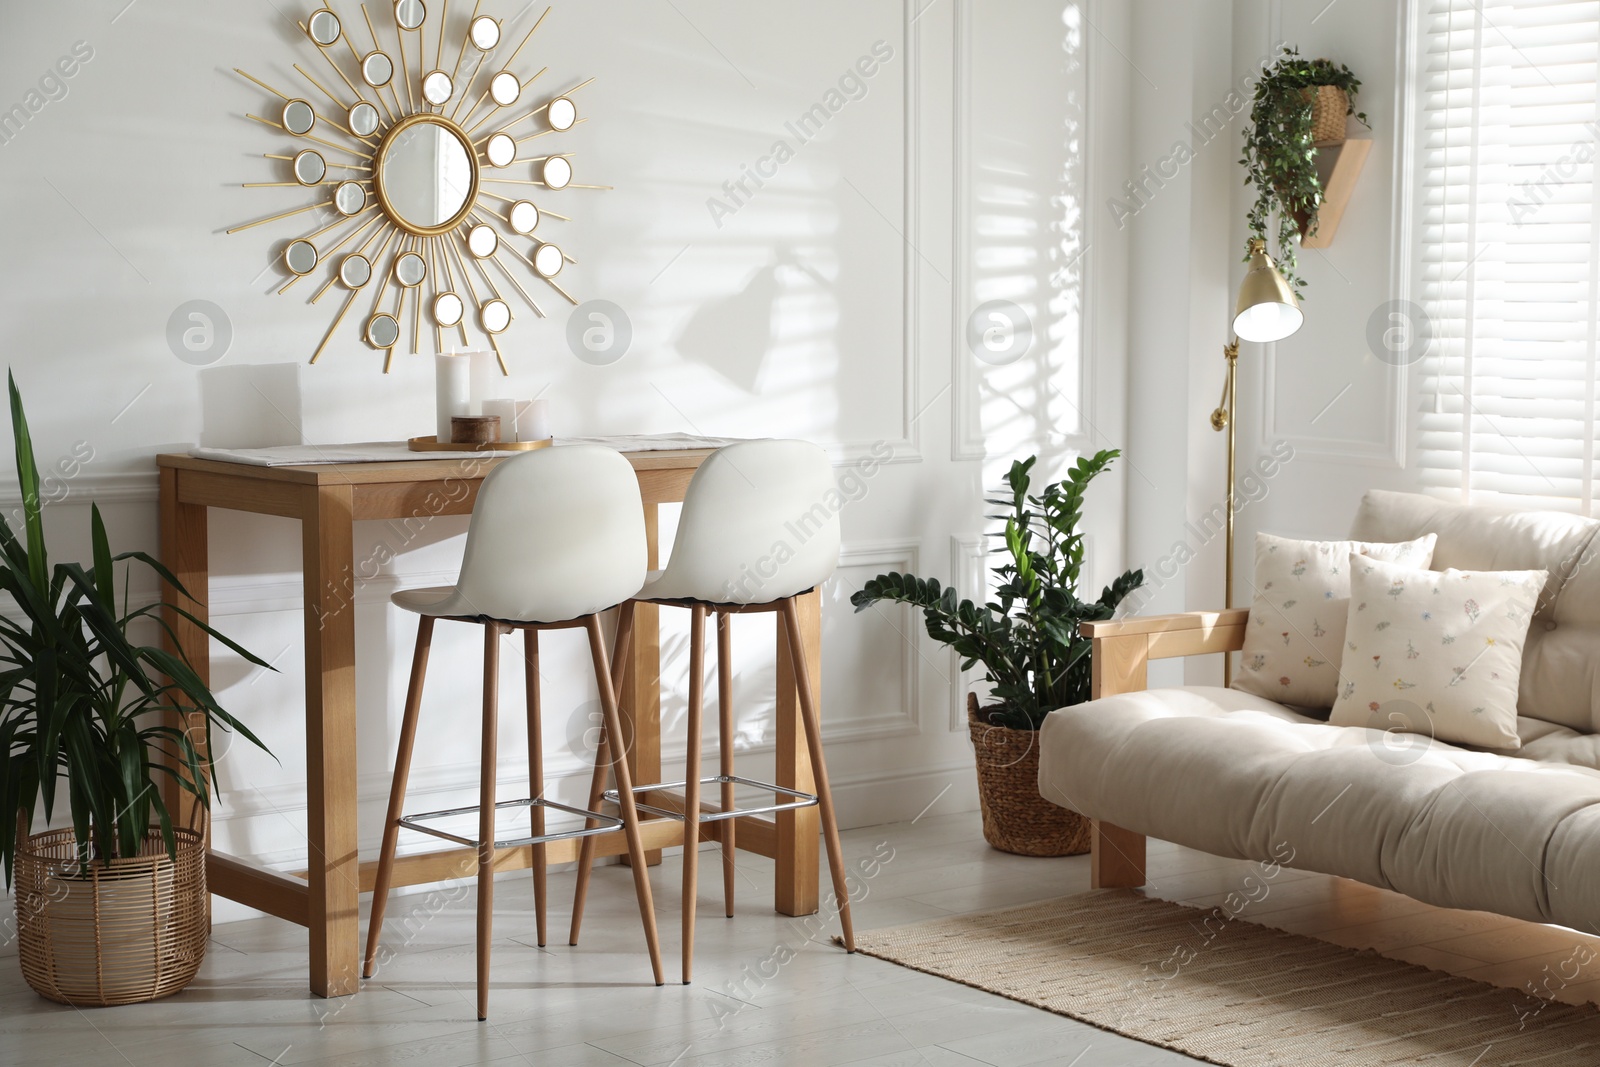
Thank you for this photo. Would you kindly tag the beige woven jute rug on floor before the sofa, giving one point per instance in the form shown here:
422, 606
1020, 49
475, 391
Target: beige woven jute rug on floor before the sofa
1238, 994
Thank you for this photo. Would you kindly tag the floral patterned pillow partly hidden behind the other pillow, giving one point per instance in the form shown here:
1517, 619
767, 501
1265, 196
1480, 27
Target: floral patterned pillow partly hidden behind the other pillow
1295, 641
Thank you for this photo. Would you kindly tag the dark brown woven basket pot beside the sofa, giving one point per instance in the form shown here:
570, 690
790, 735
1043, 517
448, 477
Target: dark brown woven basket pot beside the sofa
1017, 818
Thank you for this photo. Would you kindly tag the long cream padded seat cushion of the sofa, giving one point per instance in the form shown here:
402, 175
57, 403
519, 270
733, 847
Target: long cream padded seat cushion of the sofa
1239, 777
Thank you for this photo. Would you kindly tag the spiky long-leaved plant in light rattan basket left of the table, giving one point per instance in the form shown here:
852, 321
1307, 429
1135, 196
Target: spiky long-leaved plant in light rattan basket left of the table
113, 909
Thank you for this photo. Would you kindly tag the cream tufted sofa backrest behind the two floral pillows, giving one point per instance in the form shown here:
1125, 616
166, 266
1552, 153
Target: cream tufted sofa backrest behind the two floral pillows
1561, 663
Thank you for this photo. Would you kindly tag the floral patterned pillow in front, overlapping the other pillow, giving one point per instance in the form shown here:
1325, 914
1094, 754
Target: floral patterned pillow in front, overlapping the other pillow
1444, 644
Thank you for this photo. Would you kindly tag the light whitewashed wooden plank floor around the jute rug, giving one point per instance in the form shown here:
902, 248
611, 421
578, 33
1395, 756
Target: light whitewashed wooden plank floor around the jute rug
767, 991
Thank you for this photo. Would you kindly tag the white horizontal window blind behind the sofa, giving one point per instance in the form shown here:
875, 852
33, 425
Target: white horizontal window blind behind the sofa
1505, 215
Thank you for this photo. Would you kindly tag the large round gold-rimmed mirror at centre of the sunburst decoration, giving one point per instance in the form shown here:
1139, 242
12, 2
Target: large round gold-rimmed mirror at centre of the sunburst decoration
426, 175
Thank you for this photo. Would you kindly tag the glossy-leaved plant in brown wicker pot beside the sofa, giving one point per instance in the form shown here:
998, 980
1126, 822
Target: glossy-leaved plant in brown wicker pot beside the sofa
1030, 645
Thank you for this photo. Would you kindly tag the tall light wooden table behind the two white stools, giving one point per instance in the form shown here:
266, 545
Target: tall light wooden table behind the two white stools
329, 500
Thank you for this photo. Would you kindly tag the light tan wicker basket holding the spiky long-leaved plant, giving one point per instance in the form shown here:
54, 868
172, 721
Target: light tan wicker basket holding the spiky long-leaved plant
132, 930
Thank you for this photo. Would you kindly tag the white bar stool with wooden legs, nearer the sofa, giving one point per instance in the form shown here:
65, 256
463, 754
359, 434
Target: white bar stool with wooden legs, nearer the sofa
743, 503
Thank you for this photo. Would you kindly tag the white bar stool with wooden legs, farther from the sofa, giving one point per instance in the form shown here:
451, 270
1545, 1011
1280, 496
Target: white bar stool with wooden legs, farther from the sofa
556, 538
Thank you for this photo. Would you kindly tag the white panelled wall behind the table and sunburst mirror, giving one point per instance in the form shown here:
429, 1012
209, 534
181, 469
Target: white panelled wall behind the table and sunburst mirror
831, 306
